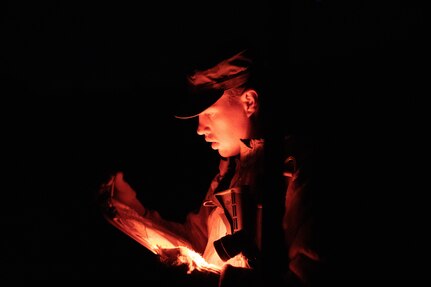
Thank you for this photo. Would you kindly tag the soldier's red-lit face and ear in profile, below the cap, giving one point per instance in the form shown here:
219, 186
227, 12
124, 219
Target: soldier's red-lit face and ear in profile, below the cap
228, 121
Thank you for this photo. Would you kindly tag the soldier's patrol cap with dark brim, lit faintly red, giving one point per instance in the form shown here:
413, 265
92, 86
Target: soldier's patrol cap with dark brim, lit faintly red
206, 86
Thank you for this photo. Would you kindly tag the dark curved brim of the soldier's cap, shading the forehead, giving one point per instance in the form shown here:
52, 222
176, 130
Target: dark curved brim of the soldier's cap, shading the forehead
196, 102
